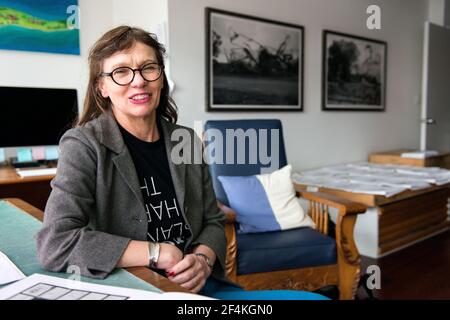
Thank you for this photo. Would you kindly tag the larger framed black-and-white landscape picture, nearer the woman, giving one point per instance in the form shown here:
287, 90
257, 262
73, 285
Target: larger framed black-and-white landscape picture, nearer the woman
252, 64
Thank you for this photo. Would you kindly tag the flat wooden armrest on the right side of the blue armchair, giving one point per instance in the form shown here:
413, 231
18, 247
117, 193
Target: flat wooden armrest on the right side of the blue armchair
345, 207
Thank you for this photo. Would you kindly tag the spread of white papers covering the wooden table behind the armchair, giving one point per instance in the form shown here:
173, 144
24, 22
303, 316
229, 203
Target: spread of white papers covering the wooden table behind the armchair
368, 178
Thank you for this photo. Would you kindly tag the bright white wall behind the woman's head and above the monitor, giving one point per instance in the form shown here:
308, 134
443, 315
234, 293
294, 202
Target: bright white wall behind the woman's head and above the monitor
34, 69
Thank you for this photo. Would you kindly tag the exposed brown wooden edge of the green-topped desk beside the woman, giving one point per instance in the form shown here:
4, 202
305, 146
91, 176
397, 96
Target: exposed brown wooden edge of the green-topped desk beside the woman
141, 272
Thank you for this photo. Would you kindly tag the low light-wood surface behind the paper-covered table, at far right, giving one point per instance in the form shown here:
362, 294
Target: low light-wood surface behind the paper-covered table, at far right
394, 157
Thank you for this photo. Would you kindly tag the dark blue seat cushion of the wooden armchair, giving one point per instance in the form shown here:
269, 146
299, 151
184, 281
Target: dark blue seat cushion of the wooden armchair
282, 250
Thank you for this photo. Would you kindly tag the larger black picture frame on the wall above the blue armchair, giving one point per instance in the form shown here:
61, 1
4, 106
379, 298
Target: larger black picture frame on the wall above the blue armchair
289, 71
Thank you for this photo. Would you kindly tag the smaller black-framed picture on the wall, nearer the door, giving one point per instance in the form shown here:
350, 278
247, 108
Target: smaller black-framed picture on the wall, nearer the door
375, 99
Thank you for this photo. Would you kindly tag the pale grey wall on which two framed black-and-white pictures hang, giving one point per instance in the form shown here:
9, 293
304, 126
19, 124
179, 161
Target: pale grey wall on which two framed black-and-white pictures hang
315, 138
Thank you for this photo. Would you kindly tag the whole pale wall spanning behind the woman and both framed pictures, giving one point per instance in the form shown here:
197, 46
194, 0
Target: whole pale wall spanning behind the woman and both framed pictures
313, 138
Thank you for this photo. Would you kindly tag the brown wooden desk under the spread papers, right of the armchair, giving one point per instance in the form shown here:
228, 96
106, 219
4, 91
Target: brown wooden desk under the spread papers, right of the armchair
396, 222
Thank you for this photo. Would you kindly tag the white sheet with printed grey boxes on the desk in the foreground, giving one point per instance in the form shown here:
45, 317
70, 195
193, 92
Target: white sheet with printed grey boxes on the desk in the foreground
42, 287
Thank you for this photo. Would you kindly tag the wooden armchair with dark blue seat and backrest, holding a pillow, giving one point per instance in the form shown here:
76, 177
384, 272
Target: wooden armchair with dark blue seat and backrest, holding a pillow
301, 258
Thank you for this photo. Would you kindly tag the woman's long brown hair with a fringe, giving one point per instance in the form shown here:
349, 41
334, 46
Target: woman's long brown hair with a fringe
113, 41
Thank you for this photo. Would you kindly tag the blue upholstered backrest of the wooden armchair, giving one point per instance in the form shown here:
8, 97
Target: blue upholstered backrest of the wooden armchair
236, 169
